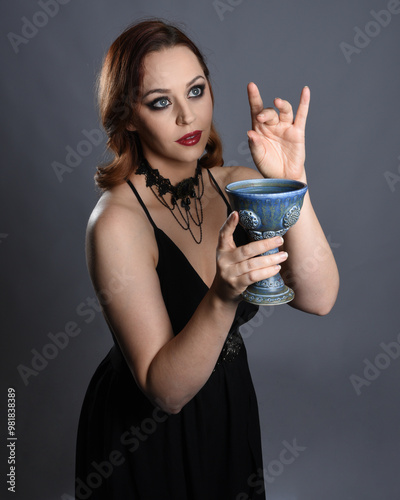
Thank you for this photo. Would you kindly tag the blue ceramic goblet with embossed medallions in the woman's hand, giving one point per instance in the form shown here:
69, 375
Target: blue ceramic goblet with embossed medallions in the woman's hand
267, 208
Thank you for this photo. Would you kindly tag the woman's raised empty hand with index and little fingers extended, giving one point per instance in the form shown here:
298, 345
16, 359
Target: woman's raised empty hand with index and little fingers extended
277, 142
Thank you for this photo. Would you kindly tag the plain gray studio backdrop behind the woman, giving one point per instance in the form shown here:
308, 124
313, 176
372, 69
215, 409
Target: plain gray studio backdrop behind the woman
328, 387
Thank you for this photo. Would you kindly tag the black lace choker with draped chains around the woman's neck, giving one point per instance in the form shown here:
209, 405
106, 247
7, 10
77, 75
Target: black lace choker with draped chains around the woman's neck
185, 191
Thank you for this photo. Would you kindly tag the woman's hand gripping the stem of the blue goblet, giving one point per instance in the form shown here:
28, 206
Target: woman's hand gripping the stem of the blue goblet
239, 267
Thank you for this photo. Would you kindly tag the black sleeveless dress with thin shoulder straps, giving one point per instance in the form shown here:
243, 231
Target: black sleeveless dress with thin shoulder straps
211, 450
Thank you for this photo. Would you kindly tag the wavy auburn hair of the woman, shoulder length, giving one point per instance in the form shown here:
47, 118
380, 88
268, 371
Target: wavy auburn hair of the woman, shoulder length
119, 86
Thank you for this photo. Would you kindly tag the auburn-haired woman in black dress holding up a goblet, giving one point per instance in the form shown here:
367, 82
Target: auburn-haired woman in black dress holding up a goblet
171, 412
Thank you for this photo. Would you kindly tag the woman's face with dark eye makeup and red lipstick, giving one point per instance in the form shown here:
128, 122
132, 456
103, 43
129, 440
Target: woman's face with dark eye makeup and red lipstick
174, 114
